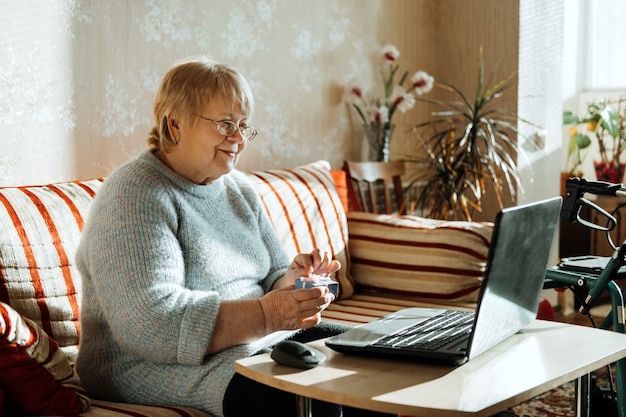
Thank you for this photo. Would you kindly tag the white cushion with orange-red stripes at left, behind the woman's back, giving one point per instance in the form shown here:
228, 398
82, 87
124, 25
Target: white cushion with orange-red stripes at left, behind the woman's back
39, 233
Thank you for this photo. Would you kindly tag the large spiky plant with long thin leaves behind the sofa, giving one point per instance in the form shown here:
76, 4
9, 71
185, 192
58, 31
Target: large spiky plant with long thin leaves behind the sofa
466, 148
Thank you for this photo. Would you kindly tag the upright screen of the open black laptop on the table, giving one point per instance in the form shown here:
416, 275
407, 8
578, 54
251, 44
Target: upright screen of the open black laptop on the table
518, 257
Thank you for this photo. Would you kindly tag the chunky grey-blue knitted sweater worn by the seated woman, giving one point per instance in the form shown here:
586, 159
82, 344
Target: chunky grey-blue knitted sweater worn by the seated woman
157, 255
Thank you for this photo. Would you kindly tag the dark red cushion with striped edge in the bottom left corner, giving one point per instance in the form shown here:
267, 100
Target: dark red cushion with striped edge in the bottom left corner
35, 376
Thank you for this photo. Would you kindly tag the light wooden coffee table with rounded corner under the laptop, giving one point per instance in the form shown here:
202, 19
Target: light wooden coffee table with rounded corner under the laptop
542, 356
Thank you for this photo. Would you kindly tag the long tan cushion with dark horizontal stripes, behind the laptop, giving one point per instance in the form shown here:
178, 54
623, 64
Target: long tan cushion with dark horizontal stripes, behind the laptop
424, 258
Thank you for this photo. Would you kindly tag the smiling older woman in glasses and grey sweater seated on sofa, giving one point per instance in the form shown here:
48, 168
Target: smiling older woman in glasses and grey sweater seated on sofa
182, 272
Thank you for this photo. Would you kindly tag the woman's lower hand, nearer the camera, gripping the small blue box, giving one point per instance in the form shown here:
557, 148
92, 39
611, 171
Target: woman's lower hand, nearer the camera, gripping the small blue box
291, 309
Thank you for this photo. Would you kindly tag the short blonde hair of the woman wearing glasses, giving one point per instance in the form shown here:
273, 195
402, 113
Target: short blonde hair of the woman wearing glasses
188, 87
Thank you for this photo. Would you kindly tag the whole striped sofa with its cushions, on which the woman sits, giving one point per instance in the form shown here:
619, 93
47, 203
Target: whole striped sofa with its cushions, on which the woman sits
389, 262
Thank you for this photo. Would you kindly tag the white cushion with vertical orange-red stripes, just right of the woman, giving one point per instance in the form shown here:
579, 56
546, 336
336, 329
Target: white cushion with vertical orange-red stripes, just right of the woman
307, 213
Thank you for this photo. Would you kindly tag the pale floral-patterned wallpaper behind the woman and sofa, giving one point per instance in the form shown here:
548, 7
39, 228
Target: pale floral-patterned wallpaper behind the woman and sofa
77, 77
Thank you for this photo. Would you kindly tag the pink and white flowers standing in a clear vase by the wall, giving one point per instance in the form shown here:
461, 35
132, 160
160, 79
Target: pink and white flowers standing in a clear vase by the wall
375, 114
